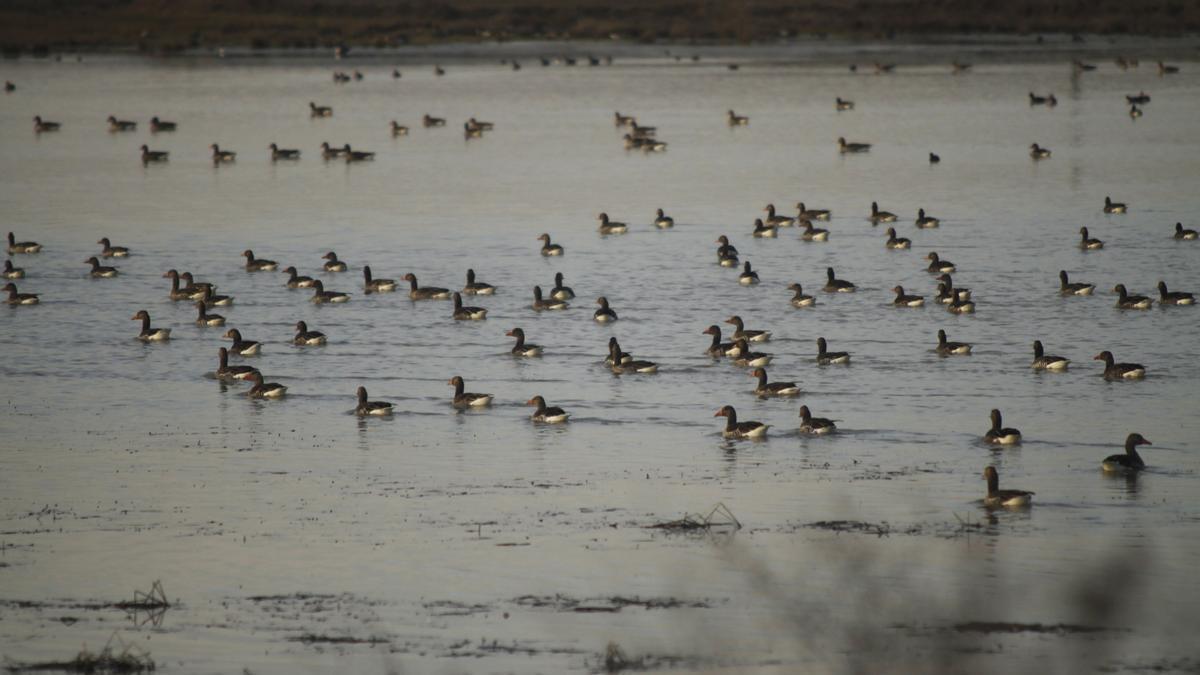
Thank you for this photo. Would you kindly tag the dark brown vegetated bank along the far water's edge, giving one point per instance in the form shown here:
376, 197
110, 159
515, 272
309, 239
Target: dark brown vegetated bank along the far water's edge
169, 26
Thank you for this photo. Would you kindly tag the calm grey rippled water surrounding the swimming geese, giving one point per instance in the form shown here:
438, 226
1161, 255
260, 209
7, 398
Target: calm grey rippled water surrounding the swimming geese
124, 463
